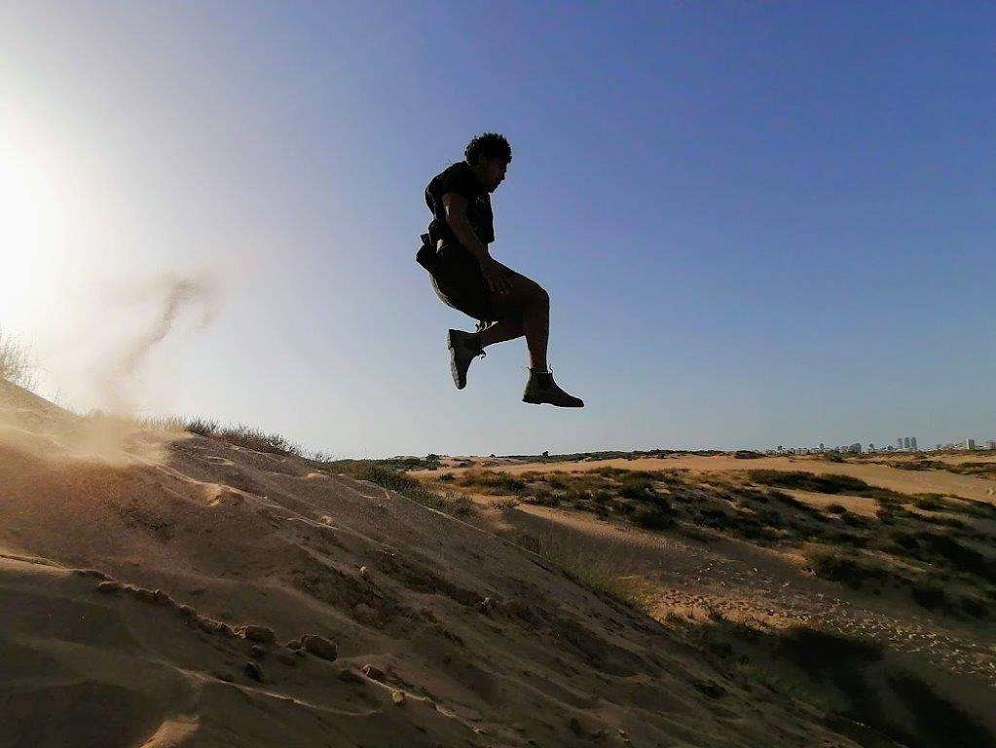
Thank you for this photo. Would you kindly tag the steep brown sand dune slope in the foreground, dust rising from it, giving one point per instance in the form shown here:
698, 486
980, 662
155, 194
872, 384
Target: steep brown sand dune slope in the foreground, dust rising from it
127, 584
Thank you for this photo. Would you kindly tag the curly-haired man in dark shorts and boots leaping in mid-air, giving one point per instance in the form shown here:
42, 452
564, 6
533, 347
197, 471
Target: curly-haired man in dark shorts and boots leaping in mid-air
506, 304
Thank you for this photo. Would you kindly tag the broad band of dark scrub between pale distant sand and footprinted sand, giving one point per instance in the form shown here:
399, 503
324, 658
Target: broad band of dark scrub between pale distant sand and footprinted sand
935, 549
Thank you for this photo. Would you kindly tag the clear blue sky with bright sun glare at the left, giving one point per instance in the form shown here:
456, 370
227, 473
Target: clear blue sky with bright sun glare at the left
759, 224
